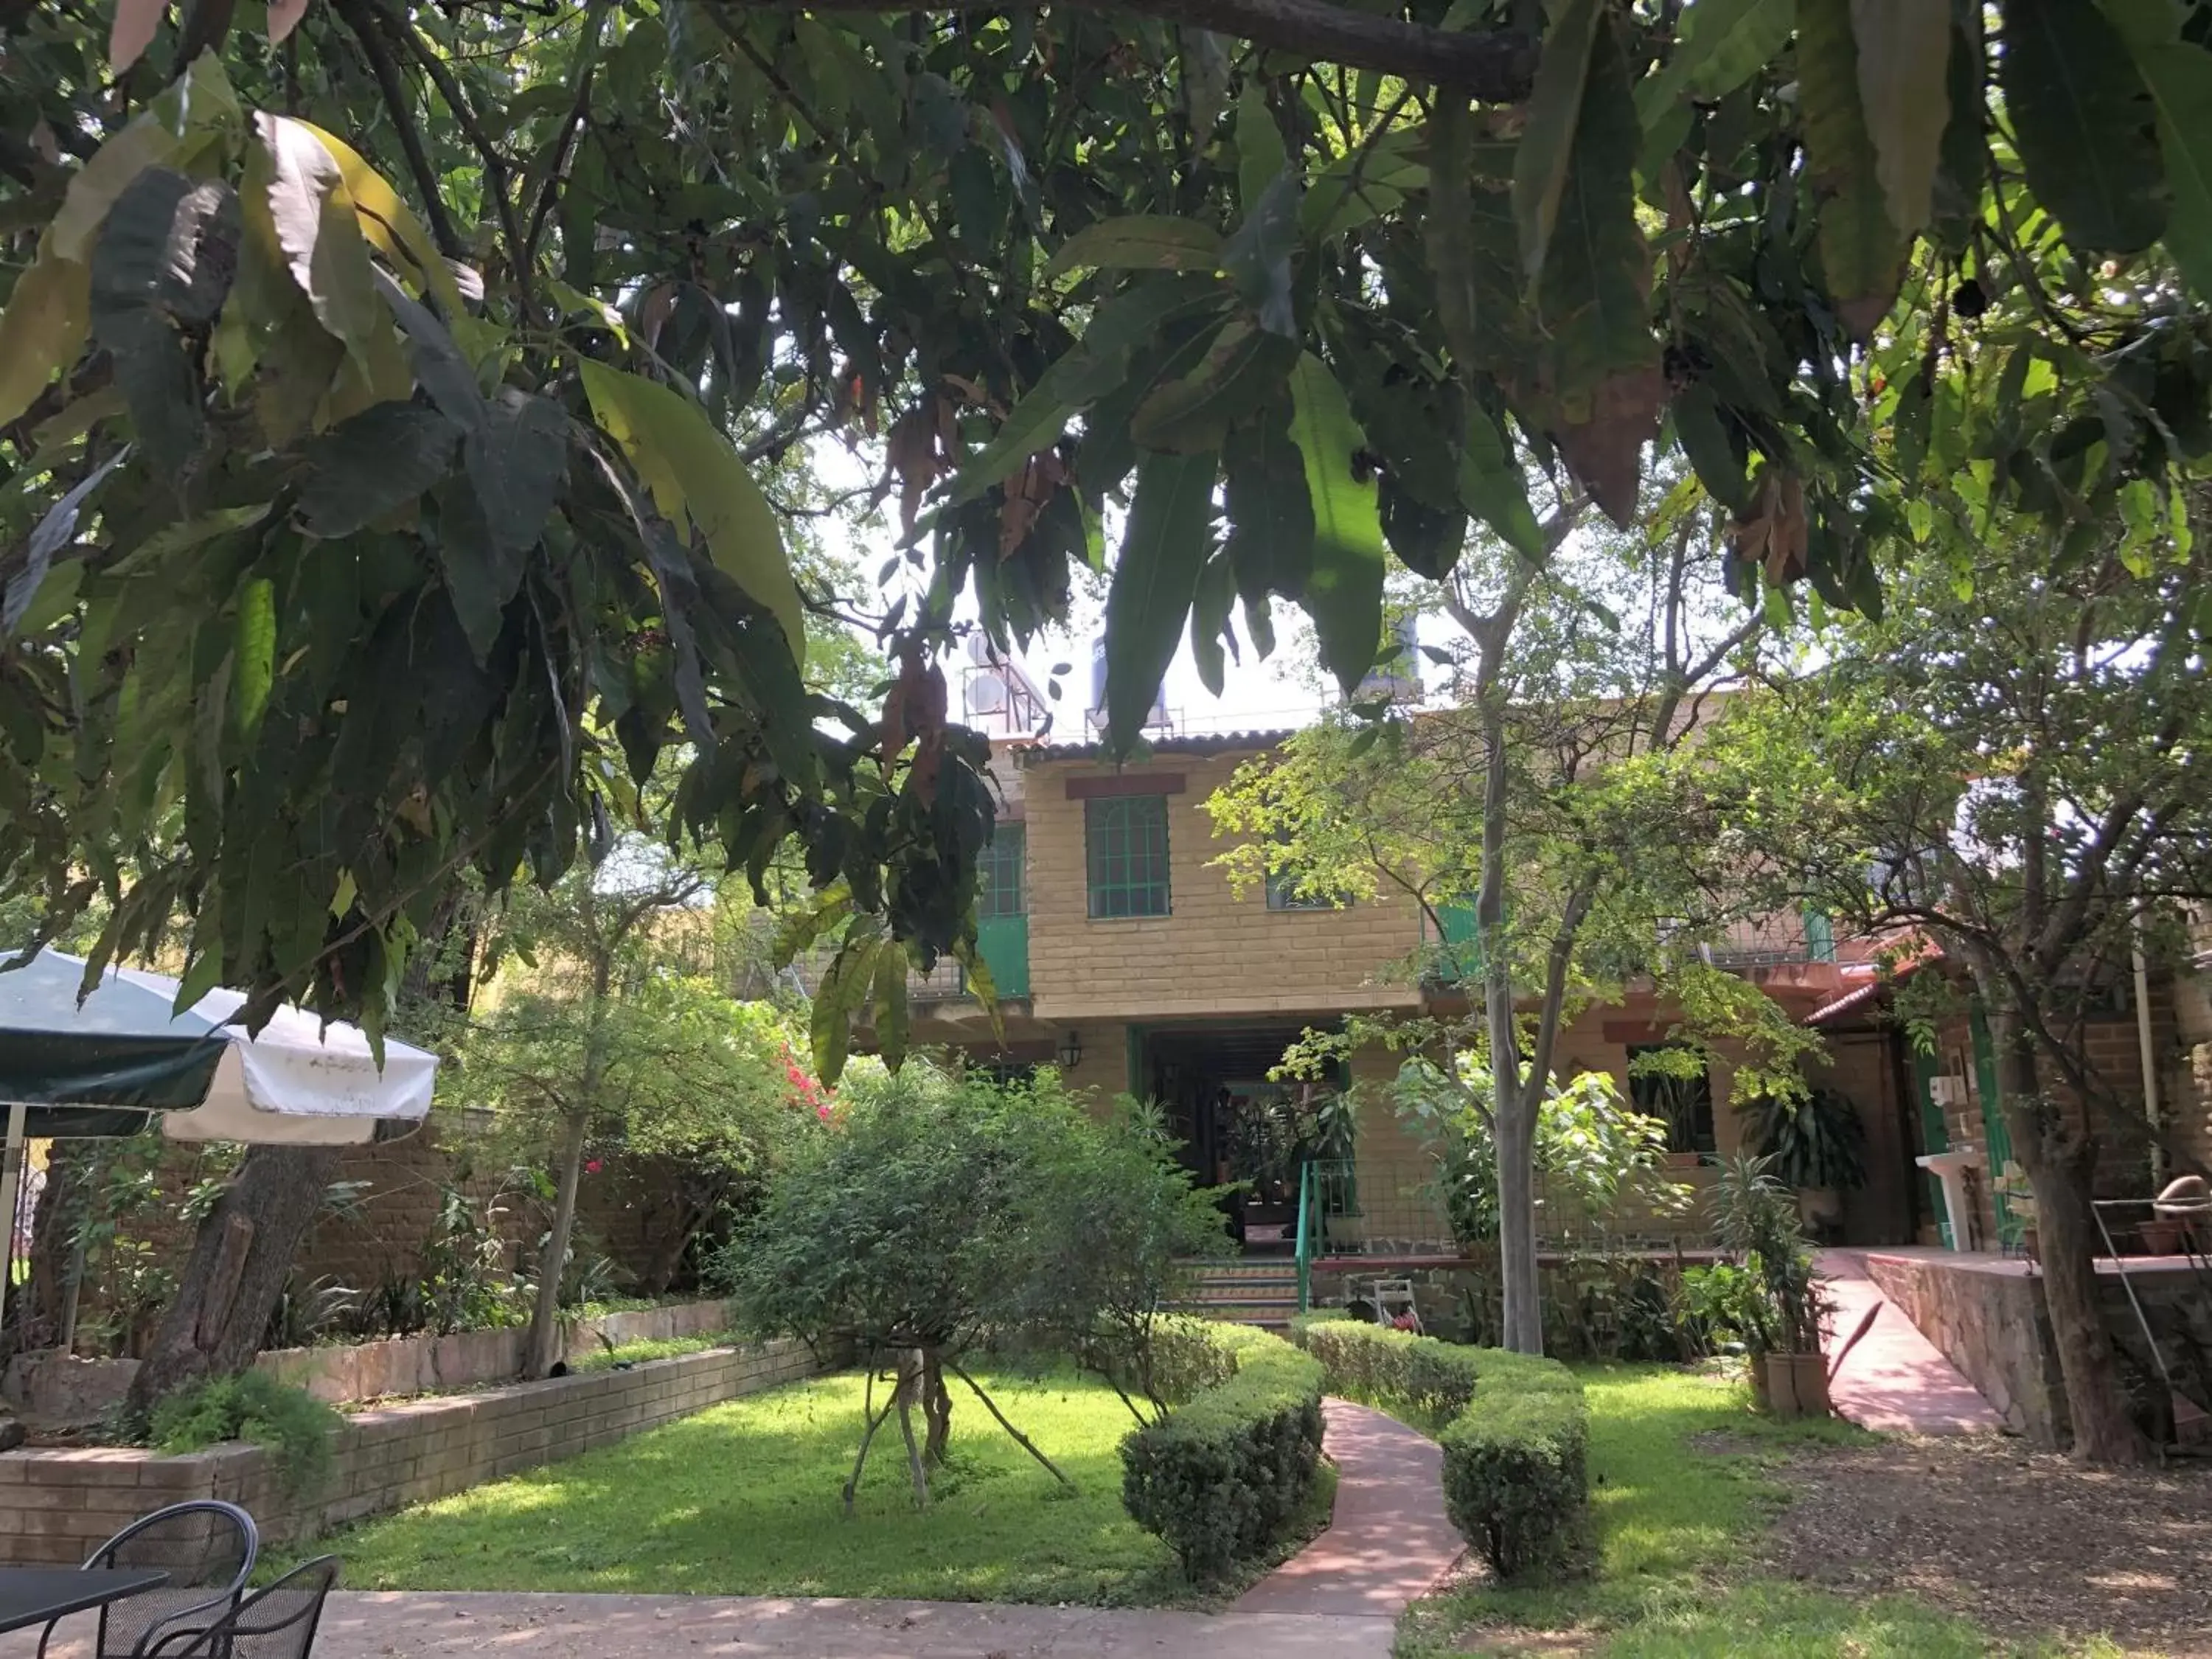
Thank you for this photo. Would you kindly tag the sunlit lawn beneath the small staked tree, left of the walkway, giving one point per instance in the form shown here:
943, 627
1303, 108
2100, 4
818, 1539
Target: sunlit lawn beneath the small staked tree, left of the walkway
744, 1501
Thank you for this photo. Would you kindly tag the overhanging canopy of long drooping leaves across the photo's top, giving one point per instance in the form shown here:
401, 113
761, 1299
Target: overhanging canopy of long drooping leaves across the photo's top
388, 390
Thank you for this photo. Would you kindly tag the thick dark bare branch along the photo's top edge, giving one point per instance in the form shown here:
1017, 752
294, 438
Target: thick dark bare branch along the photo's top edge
1496, 65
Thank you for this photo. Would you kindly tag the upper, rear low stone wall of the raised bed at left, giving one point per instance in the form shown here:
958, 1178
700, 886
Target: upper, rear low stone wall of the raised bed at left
61, 1388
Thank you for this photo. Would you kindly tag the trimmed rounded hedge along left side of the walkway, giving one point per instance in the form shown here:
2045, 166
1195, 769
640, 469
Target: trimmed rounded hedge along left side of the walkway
1224, 1474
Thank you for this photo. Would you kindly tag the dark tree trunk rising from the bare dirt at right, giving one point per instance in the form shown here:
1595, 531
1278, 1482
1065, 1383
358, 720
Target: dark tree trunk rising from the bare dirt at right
2060, 1162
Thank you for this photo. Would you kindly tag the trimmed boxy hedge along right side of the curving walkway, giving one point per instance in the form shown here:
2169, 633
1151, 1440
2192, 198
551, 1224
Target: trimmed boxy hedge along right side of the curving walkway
1516, 1446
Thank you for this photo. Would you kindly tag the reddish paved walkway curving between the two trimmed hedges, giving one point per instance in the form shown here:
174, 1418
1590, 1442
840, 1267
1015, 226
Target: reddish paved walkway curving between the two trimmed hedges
1390, 1538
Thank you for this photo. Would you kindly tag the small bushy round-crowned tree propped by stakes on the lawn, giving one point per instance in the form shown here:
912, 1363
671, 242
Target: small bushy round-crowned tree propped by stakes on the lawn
939, 1213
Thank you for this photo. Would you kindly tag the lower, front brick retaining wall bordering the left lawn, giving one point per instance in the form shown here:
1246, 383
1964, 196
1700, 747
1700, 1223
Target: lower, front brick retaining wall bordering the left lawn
59, 1505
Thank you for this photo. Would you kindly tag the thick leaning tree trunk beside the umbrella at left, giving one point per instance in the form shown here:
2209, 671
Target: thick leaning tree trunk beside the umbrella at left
238, 1271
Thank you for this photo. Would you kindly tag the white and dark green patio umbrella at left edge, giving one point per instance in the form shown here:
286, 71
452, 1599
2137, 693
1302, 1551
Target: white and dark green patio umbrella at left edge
105, 1065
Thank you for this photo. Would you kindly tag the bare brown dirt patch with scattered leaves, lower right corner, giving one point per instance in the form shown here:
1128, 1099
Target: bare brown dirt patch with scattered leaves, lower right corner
2021, 1541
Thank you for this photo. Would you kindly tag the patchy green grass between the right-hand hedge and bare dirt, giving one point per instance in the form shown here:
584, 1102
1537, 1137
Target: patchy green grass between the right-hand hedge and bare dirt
1678, 1525
